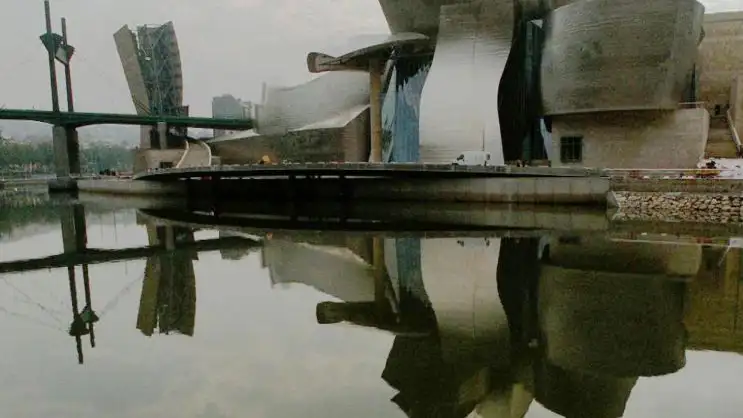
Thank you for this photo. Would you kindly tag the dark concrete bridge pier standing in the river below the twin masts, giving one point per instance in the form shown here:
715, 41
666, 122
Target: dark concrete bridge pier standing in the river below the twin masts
66, 158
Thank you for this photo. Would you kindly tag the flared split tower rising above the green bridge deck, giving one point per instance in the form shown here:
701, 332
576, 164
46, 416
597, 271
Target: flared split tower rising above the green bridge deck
152, 65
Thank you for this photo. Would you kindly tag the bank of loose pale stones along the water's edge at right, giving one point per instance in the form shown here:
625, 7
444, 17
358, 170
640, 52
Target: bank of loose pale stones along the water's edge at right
679, 207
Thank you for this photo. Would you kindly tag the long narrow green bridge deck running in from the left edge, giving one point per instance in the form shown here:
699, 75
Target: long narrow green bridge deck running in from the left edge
79, 119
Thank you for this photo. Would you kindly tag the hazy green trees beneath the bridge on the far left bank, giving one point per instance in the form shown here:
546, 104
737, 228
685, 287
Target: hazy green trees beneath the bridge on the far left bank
27, 158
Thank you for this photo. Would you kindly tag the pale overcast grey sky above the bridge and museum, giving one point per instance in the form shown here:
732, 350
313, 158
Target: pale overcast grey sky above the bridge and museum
227, 46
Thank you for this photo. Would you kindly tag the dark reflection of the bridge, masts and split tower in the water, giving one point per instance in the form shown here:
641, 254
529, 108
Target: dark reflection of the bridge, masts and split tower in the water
168, 298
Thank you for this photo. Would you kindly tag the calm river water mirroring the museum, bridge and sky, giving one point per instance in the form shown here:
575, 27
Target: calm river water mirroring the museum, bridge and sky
275, 322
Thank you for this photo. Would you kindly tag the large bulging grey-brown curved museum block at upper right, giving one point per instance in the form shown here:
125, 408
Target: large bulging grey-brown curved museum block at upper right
603, 55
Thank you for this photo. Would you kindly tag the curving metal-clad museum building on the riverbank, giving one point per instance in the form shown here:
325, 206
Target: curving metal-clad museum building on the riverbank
598, 83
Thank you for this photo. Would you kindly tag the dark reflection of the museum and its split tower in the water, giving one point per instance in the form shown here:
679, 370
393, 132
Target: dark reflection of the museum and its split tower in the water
491, 325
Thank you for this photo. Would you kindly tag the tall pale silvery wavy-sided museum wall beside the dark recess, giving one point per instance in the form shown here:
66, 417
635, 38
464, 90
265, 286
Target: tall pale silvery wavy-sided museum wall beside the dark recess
459, 103
